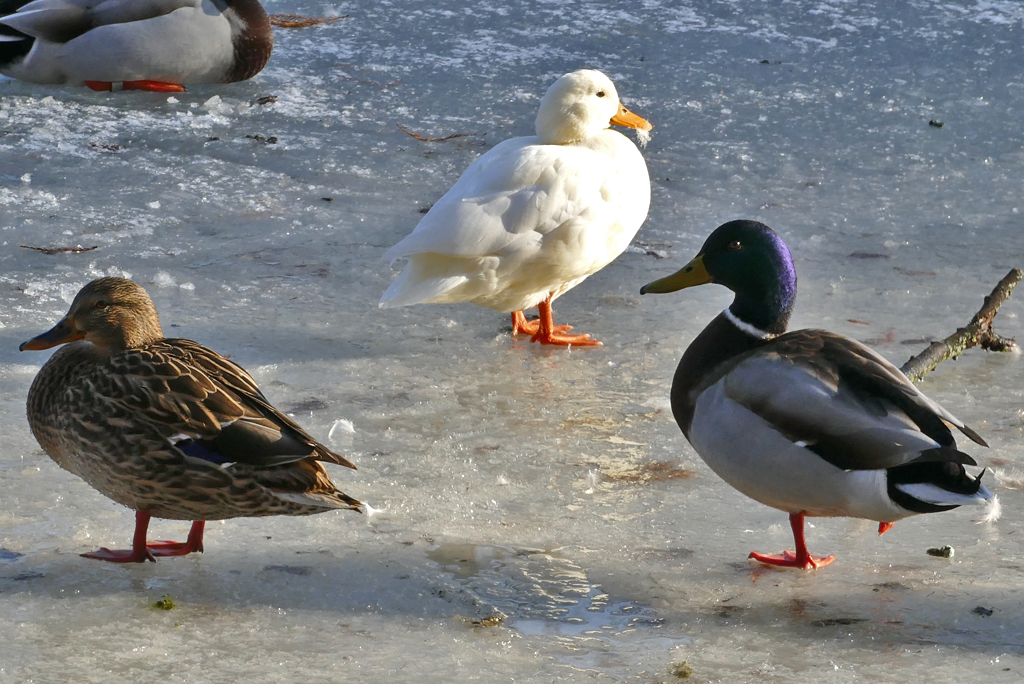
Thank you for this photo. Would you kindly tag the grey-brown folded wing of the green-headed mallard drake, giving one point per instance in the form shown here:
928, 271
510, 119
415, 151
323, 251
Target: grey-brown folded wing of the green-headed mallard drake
841, 401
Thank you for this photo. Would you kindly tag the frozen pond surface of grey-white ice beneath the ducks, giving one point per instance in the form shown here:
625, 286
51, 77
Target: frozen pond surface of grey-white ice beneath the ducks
550, 486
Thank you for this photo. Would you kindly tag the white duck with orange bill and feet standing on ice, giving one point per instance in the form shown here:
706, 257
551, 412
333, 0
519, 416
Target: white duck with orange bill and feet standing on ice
535, 217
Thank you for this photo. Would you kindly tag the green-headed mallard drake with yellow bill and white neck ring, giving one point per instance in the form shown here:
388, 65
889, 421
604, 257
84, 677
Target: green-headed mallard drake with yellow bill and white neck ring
809, 422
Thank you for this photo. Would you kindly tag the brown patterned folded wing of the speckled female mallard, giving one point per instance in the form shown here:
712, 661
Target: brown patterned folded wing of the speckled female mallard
203, 404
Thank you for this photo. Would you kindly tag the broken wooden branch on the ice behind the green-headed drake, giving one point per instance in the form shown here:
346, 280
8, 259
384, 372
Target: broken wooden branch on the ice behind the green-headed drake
978, 332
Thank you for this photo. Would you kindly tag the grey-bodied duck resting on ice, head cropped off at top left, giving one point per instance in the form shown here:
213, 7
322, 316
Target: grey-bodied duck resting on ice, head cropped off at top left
158, 46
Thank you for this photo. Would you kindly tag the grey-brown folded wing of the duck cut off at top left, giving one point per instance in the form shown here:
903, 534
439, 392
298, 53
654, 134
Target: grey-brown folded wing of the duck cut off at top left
62, 21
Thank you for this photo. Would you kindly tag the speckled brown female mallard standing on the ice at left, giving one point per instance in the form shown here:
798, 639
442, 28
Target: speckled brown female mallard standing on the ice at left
167, 427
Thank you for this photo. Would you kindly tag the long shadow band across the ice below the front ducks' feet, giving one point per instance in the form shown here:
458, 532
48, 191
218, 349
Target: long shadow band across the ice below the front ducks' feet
545, 592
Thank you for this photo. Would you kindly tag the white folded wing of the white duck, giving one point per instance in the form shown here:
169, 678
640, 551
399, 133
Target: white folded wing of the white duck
510, 199
